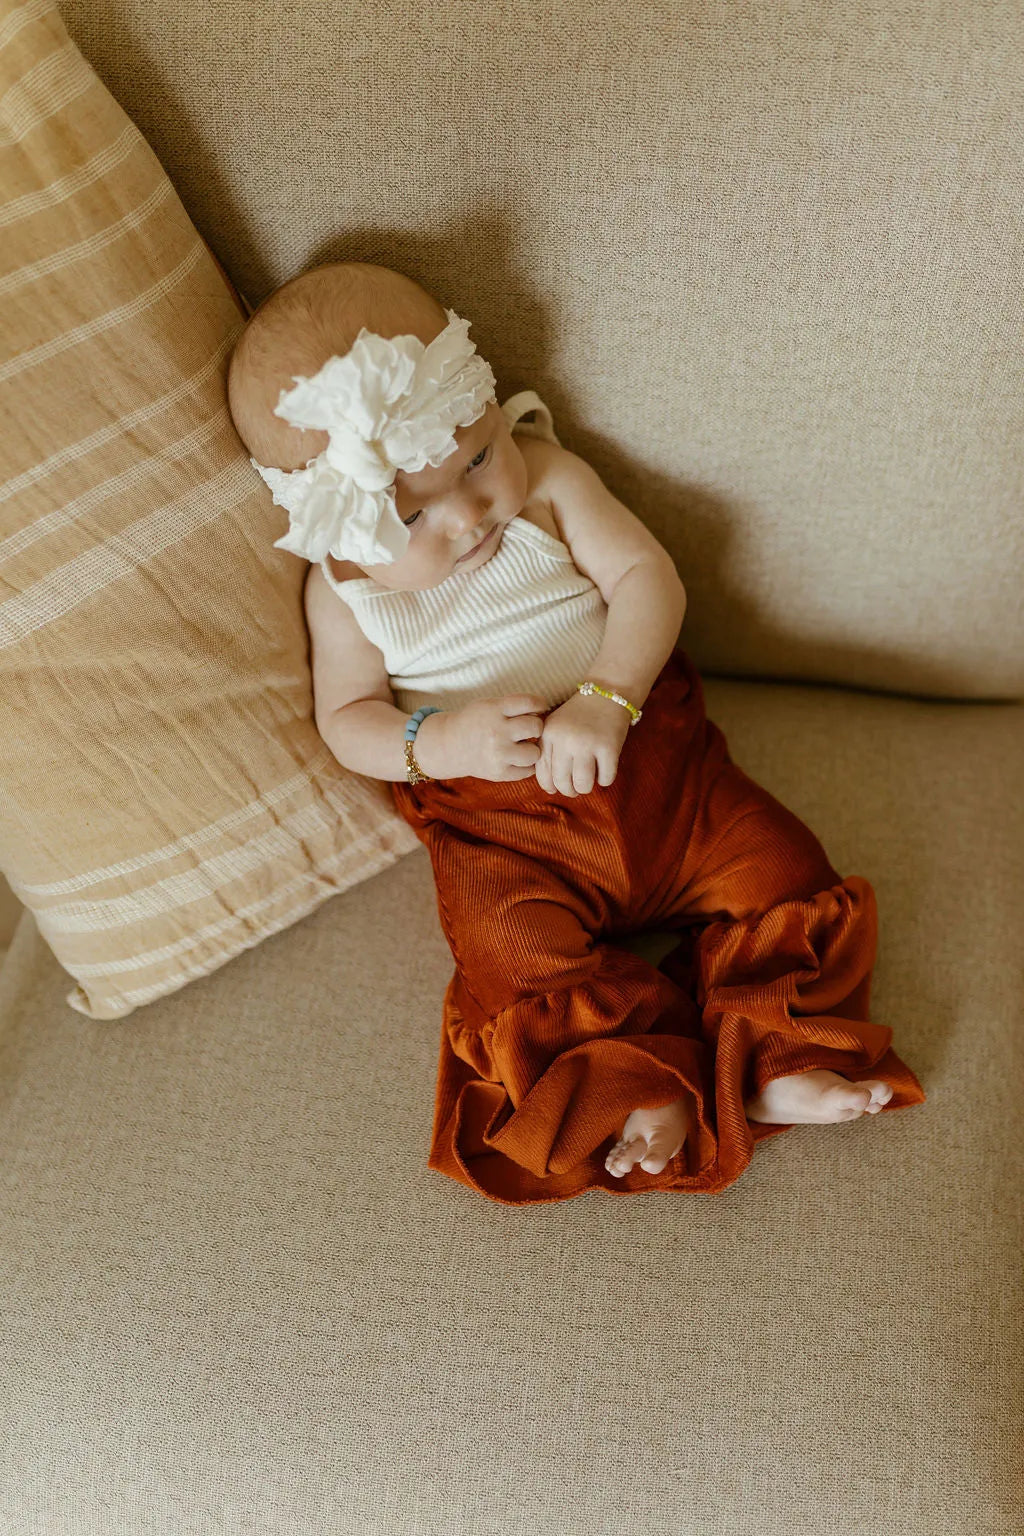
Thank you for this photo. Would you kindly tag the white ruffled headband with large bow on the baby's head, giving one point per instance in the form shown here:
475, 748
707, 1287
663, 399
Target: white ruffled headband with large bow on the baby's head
386, 406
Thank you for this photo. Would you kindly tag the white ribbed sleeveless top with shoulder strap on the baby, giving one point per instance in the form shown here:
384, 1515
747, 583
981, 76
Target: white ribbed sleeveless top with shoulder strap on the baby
527, 621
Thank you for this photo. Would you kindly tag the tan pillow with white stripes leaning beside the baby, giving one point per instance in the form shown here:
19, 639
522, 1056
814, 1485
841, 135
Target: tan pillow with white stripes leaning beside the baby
165, 798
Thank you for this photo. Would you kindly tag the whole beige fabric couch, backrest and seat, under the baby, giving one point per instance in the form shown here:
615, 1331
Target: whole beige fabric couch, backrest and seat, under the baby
762, 265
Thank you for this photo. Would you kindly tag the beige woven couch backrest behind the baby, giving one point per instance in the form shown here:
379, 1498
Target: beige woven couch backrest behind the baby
762, 262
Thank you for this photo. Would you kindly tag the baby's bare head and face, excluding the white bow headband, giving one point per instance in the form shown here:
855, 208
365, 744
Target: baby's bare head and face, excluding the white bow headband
449, 509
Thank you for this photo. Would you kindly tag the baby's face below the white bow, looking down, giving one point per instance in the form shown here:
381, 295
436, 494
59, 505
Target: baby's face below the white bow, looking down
457, 512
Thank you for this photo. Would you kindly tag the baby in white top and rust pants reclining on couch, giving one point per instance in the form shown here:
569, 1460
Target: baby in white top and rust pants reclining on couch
495, 635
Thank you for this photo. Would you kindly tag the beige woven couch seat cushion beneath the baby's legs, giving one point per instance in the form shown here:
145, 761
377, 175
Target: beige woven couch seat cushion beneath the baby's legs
239, 1300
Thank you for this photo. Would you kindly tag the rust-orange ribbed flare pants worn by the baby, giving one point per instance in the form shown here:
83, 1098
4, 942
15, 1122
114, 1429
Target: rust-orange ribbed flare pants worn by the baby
552, 1038
